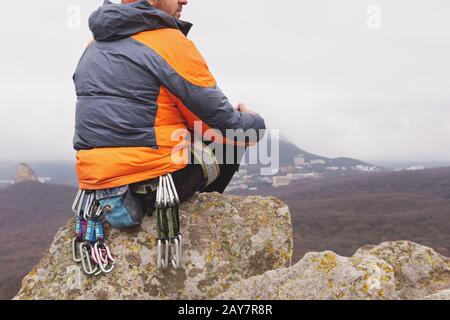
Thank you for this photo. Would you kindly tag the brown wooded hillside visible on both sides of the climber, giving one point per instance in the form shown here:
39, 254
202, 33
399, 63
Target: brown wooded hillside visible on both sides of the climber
340, 214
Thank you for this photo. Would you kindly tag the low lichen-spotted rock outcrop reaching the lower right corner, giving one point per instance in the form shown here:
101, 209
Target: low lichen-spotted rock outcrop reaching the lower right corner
392, 270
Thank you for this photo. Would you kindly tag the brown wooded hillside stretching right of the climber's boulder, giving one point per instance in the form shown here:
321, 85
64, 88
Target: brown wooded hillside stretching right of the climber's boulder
343, 213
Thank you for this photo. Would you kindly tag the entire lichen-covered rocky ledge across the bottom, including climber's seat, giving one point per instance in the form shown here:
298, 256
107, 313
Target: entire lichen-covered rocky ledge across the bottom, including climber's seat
240, 248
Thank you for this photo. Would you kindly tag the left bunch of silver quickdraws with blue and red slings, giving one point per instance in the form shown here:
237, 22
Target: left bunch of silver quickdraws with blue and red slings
89, 245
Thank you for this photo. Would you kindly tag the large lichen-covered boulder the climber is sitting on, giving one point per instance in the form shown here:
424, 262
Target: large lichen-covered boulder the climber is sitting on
226, 239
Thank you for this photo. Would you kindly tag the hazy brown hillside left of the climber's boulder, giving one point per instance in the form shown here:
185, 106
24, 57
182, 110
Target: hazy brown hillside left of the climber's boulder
30, 215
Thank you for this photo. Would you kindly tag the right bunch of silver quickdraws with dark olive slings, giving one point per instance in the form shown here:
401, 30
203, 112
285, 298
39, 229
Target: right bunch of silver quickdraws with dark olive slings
167, 219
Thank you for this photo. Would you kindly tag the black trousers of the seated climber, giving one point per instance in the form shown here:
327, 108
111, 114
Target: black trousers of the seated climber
190, 180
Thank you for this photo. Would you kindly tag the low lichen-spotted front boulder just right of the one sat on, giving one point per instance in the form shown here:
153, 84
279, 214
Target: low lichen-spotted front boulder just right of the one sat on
321, 276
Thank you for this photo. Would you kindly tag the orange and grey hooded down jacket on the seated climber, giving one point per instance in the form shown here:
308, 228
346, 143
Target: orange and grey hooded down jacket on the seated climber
139, 81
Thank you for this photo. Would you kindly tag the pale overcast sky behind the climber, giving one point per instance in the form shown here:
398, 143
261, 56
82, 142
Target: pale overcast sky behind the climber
355, 78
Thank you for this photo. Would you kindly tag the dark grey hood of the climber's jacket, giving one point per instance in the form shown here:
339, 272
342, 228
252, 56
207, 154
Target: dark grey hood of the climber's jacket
118, 21
